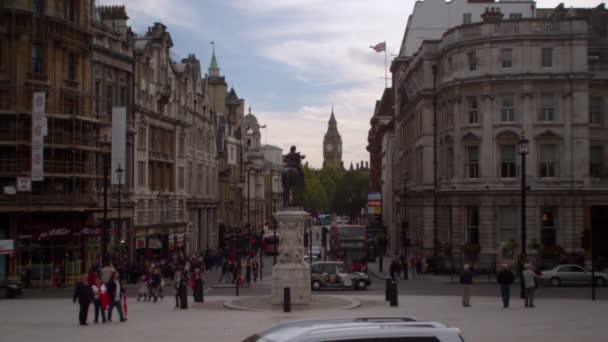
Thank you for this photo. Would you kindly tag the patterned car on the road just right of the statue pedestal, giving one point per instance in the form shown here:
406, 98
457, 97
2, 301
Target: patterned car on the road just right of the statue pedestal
335, 274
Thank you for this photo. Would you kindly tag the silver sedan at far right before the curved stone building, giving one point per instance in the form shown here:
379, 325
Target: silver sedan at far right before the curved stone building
571, 274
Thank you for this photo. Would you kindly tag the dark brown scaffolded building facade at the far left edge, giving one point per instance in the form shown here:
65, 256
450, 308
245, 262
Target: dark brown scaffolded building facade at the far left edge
45, 46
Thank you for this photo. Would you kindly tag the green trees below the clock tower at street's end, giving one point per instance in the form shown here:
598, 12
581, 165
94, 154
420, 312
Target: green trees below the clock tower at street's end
334, 190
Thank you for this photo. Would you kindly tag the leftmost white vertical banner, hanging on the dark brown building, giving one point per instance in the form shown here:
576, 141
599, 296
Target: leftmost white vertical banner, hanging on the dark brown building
38, 124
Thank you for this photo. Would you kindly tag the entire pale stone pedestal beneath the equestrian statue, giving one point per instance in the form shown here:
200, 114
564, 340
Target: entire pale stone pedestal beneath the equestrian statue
291, 270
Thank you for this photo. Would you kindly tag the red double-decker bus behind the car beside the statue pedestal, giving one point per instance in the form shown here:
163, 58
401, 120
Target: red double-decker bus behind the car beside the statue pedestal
348, 243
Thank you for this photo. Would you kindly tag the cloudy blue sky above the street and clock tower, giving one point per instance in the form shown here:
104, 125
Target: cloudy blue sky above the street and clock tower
291, 60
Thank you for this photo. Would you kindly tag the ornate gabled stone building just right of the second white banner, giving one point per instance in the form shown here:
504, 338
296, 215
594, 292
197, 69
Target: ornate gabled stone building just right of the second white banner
176, 195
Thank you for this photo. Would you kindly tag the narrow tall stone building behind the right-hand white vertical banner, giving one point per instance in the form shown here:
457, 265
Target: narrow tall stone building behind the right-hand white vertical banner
112, 86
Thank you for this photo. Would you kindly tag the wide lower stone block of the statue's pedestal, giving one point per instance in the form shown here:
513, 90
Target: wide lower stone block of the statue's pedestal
294, 276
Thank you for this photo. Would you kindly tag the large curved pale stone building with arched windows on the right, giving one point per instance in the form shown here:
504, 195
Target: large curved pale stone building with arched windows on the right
462, 105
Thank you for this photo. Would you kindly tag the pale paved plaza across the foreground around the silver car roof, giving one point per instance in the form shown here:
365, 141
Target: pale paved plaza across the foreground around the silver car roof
55, 319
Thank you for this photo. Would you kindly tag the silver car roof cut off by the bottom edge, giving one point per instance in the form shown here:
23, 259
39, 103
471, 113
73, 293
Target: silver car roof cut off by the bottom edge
359, 329
